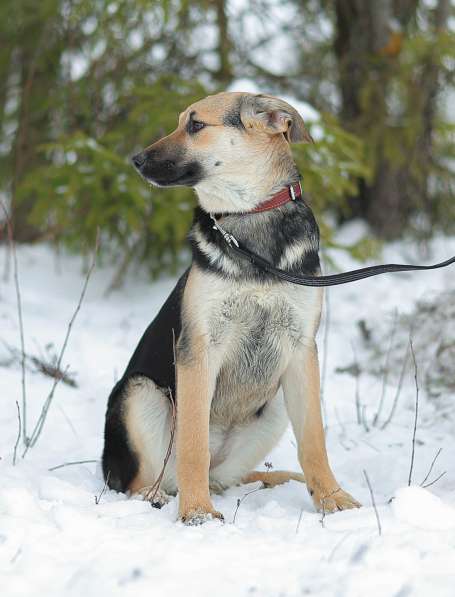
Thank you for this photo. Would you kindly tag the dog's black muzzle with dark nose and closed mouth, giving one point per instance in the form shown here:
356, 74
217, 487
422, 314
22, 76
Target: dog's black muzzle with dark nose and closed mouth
168, 173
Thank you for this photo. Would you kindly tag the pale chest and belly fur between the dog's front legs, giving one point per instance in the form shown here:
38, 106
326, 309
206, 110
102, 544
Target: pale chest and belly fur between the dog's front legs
252, 329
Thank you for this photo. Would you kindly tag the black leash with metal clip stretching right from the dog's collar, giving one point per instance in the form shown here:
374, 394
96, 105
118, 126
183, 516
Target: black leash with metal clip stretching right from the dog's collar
332, 280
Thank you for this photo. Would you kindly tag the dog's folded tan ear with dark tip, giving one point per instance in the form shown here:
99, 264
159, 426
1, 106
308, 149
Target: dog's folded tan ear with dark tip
273, 116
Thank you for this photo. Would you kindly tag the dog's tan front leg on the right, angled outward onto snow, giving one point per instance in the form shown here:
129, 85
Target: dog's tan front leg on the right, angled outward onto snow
301, 386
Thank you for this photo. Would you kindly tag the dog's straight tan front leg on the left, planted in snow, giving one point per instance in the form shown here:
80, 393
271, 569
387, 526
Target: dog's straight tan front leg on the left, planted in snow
195, 387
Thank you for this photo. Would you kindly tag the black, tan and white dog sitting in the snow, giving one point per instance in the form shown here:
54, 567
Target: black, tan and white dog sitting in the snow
232, 347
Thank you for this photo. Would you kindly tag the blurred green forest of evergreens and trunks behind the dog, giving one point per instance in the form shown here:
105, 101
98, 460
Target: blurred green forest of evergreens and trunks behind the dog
84, 84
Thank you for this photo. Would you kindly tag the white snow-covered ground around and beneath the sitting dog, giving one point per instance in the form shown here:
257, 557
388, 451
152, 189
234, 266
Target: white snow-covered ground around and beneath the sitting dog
56, 541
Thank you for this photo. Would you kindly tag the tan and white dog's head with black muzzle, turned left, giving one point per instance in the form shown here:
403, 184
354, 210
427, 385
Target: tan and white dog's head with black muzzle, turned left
233, 148
